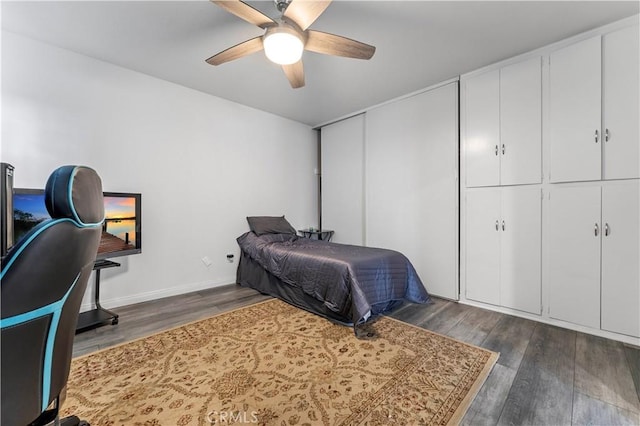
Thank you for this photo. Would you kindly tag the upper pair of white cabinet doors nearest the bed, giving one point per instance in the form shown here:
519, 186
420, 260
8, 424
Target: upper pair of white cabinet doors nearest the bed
503, 125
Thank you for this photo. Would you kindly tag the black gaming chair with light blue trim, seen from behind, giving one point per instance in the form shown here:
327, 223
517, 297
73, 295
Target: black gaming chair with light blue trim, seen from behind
42, 281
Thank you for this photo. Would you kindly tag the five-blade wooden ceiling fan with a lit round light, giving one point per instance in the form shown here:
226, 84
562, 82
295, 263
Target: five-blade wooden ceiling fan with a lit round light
285, 39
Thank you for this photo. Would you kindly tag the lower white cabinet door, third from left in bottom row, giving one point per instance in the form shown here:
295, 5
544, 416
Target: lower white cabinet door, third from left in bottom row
574, 254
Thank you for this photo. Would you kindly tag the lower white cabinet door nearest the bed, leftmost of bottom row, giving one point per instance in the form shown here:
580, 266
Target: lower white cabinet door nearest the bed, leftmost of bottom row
482, 263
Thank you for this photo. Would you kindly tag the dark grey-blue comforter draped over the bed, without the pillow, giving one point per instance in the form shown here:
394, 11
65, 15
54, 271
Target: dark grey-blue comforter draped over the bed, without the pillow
350, 280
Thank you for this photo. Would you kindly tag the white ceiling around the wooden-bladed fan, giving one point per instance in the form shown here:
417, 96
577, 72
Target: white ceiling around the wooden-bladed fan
419, 43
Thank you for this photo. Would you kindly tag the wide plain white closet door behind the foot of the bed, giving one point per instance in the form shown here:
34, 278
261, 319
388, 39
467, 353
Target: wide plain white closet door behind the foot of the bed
411, 184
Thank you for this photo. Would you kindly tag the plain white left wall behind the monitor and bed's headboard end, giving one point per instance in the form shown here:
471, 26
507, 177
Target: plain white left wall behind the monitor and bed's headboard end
201, 163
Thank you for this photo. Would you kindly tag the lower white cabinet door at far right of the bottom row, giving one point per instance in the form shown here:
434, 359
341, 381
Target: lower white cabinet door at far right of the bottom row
621, 258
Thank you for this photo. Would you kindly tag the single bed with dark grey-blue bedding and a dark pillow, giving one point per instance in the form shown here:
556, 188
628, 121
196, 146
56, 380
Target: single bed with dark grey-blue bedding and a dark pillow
345, 283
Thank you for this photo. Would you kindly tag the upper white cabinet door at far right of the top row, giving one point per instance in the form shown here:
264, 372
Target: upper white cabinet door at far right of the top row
620, 103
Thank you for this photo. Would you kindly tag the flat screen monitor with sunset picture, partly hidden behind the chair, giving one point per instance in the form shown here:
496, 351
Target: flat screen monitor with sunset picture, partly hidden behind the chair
121, 229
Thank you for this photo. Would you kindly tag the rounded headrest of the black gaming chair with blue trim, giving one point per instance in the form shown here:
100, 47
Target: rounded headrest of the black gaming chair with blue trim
75, 192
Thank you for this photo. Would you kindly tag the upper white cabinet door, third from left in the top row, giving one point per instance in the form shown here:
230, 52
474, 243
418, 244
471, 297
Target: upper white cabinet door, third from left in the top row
574, 111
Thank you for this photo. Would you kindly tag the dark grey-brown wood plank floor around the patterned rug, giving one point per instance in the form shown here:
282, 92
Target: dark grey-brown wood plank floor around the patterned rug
545, 375
